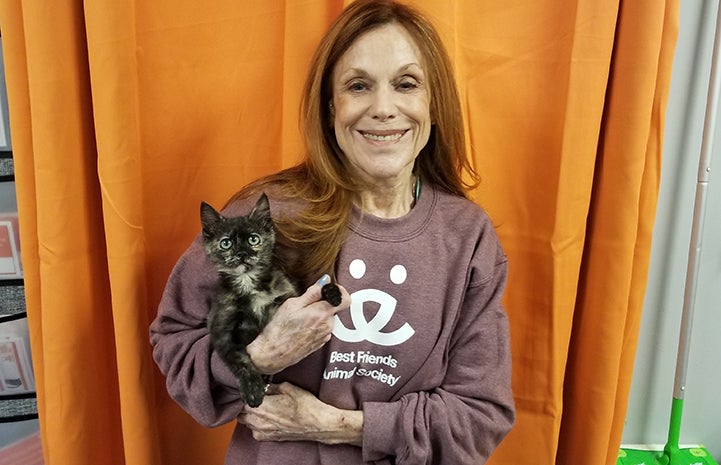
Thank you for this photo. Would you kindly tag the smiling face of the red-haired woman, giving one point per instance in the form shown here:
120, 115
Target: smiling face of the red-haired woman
381, 105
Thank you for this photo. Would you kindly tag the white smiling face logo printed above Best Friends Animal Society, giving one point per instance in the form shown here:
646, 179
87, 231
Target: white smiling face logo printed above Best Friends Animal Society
372, 330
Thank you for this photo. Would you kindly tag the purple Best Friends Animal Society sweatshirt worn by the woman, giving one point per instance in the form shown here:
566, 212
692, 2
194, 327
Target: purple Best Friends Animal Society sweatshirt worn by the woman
424, 349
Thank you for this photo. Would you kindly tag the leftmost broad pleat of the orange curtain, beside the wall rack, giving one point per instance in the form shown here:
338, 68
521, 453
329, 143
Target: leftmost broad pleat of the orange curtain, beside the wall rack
69, 300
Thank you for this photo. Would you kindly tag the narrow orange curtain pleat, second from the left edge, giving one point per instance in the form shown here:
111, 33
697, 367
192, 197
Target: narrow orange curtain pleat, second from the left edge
111, 43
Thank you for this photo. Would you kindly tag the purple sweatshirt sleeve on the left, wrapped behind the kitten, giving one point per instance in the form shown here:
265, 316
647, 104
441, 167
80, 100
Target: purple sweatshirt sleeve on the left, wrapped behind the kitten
195, 377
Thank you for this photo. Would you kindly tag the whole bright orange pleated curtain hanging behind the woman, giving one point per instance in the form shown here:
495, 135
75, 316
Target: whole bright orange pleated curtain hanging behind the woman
125, 114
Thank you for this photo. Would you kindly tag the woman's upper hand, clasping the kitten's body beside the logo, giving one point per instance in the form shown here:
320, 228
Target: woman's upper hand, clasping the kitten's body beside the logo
300, 326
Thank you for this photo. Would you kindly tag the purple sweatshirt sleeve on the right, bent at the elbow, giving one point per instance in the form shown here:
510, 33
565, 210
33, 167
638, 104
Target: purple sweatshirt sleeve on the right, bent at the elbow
464, 419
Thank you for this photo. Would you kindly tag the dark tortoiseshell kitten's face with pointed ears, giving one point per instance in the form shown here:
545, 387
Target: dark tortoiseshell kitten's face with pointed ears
241, 244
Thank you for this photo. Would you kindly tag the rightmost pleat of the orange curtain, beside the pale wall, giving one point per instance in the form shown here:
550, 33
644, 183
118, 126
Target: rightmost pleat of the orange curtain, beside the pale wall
618, 242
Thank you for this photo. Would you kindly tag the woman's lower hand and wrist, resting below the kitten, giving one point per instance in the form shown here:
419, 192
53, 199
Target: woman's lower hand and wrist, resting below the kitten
289, 413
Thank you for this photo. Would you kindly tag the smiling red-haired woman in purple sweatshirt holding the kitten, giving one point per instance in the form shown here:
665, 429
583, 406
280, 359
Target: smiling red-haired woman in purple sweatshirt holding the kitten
416, 370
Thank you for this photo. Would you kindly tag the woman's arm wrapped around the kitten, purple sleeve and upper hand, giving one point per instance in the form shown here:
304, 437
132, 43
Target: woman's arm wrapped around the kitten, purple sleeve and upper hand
195, 376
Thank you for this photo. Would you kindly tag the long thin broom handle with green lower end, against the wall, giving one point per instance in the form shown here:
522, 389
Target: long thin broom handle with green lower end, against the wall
699, 213
